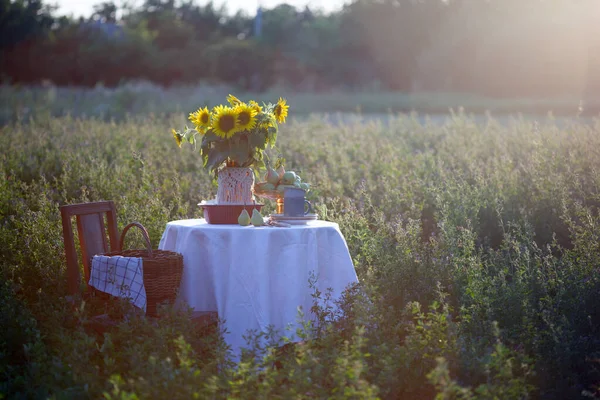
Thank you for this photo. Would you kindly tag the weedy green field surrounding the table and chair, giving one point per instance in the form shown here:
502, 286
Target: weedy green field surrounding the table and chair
476, 246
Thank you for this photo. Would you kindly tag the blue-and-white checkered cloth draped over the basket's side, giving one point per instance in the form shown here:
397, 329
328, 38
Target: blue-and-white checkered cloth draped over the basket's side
121, 277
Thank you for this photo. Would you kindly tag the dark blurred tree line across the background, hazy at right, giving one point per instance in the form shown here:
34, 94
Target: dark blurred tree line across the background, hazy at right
494, 47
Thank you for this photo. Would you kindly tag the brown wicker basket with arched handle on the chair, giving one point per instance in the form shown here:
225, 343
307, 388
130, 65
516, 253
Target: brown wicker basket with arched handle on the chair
162, 270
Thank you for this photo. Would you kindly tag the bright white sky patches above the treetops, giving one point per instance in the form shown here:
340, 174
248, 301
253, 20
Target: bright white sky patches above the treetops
85, 7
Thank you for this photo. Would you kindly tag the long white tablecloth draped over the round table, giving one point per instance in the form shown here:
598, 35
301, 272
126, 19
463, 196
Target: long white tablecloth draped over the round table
256, 277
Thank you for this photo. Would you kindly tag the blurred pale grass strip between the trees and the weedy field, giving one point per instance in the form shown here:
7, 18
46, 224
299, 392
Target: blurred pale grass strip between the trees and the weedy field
144, 98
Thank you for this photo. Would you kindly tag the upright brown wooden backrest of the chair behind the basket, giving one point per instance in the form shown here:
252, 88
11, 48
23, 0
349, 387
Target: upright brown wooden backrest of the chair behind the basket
92, 236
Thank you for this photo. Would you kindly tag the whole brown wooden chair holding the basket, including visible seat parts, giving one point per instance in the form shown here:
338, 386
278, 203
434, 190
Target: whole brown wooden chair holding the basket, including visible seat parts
92, 233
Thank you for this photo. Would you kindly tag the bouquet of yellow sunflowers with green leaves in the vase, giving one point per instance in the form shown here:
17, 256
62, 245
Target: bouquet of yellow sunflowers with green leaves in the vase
234, 135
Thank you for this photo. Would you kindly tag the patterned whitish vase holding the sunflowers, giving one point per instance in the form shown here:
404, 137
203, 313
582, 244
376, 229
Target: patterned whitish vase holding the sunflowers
235, 186
